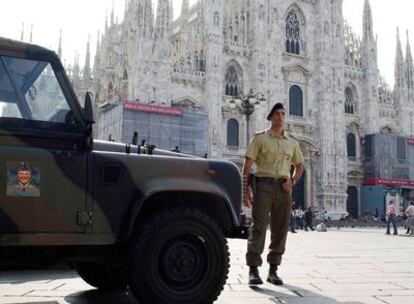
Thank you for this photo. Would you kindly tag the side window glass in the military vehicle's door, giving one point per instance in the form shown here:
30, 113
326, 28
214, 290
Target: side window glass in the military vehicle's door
30, 90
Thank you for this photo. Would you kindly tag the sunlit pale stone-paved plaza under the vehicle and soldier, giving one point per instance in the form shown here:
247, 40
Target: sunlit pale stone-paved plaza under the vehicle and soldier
337, 267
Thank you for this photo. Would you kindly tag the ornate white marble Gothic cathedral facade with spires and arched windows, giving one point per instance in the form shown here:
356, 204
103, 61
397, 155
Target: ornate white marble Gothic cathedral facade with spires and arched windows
299, 52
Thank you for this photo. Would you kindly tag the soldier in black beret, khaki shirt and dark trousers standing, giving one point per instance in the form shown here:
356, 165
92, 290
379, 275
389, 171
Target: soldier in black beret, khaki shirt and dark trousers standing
274, 152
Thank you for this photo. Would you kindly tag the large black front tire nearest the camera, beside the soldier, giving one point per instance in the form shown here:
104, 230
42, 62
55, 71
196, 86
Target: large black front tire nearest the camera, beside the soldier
180, 257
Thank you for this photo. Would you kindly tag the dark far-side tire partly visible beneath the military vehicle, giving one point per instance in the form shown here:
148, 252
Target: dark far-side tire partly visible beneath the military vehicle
103, 275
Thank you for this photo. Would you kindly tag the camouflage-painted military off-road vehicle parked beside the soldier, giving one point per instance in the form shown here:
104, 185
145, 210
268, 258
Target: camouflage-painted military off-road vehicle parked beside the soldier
121, 214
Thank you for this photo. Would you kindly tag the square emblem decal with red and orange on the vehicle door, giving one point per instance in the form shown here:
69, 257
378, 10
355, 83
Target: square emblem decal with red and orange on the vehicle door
23, 179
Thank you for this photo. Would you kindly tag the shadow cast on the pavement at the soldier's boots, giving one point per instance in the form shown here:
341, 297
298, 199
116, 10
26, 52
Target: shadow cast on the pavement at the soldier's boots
302, 295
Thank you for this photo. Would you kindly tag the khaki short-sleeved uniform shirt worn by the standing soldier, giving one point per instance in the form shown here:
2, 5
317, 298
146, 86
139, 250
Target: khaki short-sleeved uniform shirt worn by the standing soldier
274, 156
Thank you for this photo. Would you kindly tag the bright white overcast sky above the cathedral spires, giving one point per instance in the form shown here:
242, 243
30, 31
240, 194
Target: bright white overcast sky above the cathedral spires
80, 18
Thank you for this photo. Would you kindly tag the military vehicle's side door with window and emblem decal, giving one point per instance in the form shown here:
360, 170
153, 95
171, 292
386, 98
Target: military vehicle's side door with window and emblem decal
43, 164
